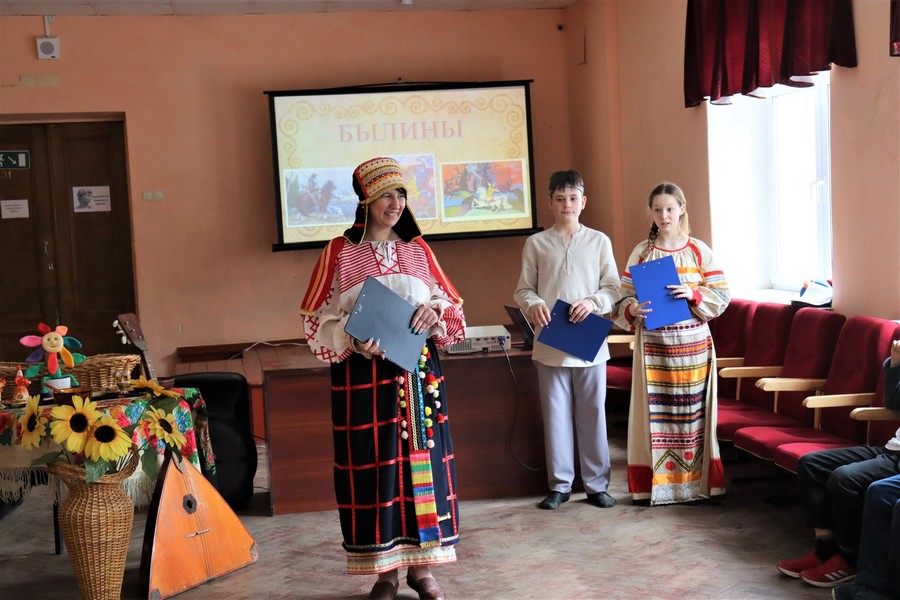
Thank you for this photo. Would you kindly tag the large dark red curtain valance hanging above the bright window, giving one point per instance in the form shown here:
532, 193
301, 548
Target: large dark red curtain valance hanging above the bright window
735, 46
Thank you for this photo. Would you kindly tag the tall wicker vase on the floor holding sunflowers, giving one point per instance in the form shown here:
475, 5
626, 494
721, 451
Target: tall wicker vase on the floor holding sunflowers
96, 520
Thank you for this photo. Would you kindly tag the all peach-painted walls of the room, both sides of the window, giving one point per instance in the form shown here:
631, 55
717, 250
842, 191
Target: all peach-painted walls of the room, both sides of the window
197, 126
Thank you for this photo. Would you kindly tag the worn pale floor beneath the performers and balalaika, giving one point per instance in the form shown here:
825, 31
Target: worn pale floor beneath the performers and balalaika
509, 550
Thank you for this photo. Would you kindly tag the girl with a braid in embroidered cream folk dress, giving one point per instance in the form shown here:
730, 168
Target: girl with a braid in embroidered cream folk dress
673, 452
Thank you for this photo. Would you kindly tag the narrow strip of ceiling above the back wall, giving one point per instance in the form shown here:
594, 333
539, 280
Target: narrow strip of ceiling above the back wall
252, 7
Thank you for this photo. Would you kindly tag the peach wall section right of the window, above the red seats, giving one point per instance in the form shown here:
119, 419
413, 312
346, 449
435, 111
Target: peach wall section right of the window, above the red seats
865, 163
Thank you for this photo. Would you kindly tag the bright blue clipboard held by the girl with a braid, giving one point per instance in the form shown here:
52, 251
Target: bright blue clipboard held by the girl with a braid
650, 280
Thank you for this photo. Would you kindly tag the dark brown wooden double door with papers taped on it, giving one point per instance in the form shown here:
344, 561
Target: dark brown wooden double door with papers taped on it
65, 254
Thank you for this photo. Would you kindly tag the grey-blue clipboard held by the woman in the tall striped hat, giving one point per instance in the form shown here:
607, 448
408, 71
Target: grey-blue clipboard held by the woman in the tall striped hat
380, 314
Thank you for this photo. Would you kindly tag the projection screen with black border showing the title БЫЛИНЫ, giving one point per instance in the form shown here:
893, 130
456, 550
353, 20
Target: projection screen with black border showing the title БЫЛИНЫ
465, 149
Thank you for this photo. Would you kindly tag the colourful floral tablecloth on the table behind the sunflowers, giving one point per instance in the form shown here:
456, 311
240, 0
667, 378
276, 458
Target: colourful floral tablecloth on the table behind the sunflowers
17, 475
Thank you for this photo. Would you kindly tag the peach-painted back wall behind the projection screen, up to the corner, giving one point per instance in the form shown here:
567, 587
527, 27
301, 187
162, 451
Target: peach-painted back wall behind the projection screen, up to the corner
198, 129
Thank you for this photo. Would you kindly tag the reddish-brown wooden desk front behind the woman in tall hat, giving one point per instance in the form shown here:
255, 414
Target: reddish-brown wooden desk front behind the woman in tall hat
495, 421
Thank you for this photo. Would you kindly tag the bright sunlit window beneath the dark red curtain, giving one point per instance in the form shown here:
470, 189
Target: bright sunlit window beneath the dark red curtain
770, 186
